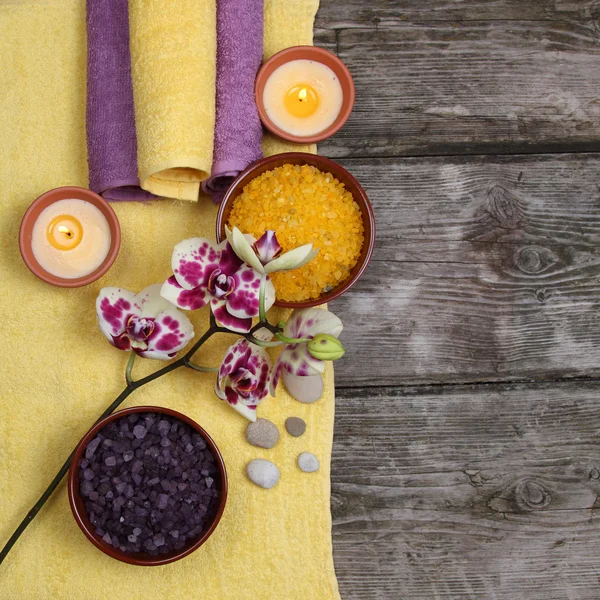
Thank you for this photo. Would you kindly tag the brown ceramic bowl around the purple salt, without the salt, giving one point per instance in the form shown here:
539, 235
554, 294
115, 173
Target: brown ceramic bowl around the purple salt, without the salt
78, 506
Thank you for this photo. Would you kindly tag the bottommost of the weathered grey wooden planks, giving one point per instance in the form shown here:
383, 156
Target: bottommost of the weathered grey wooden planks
484, 491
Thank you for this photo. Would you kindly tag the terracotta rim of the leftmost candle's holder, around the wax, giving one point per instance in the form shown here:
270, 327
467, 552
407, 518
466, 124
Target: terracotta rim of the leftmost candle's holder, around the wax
45, 200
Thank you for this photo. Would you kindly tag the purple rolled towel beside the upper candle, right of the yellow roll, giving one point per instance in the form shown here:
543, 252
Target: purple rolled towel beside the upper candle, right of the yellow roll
238, 130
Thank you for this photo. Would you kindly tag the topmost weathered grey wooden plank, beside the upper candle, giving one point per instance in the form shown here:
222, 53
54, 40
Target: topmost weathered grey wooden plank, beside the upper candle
427, 86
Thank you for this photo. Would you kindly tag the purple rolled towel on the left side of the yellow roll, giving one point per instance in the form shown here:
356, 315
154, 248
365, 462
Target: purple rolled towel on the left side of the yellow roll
110, 120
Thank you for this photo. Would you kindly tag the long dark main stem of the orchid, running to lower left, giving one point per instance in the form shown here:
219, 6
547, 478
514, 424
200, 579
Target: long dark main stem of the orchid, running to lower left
184, 361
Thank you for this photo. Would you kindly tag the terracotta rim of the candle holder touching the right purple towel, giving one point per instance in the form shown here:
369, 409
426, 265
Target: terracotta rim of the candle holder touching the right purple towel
306, 53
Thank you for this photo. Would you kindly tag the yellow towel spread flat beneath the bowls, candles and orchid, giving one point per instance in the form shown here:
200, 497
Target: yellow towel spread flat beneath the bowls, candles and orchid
57, 372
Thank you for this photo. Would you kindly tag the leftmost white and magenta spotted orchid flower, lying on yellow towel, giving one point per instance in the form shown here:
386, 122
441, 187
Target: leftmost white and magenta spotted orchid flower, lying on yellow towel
145, 323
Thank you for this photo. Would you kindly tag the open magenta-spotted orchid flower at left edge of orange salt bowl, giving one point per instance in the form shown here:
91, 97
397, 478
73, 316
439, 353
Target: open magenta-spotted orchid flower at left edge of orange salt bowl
205, 272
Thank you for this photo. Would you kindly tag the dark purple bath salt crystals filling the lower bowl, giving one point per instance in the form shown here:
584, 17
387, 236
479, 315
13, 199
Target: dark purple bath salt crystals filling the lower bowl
150, 484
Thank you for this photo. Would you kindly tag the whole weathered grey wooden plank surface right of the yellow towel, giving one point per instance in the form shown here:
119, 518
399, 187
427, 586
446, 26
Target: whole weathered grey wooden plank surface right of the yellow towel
466, 461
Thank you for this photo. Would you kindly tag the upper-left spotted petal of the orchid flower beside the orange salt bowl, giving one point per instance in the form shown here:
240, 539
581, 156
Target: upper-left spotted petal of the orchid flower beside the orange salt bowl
193, 261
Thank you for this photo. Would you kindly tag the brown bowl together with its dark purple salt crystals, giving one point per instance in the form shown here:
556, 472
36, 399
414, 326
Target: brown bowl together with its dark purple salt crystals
147, 485
